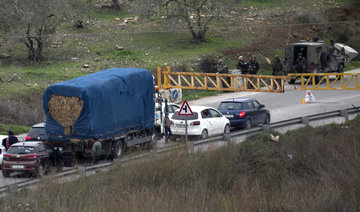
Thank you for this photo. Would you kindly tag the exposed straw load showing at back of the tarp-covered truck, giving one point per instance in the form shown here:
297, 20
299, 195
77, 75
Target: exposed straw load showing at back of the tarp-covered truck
65, 110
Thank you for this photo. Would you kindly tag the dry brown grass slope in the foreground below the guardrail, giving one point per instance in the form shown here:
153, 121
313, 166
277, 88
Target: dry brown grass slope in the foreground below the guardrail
309, 169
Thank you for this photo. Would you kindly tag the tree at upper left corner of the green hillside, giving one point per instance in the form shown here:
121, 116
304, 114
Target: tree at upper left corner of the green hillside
32, 22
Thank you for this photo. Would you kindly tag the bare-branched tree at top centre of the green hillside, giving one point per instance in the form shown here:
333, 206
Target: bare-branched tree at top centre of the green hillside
196, 14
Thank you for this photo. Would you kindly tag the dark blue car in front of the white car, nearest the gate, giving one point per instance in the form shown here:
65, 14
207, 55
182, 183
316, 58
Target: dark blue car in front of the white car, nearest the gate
244, 113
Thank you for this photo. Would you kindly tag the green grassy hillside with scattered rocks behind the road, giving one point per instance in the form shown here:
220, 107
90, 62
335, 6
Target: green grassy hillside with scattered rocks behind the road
260, 27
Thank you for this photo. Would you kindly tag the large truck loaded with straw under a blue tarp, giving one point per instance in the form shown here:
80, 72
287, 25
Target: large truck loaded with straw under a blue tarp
116, 106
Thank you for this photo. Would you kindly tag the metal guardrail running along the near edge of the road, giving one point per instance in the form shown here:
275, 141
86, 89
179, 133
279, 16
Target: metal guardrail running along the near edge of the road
286, 123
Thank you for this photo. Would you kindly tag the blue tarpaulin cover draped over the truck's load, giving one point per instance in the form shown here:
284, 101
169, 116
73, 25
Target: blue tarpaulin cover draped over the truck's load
114, 101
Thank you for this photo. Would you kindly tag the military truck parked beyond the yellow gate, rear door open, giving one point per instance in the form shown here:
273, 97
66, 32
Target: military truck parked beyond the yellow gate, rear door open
319, 57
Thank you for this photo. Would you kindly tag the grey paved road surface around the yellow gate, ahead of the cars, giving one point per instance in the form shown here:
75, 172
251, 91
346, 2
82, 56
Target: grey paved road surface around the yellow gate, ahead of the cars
289, 104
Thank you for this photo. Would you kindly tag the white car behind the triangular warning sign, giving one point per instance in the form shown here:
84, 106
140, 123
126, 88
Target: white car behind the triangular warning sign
205, 121
